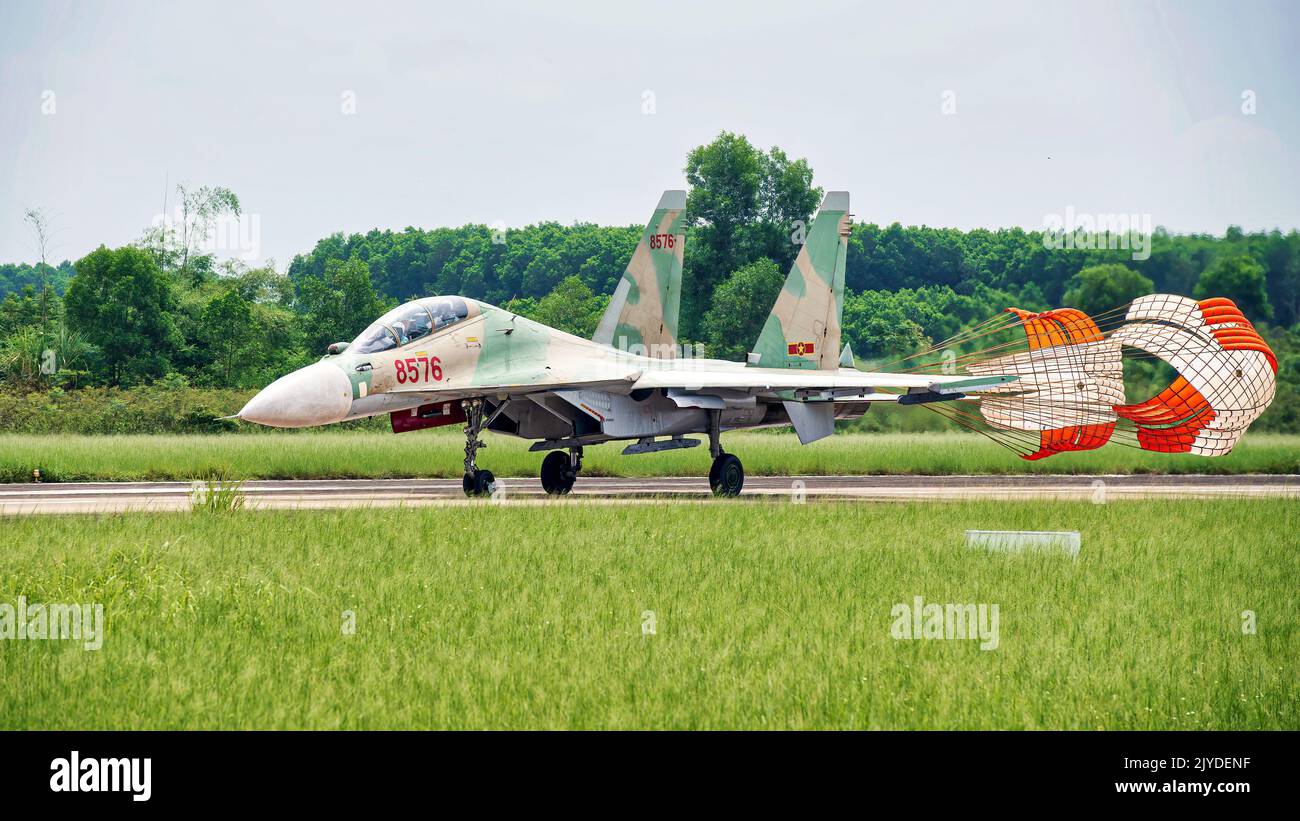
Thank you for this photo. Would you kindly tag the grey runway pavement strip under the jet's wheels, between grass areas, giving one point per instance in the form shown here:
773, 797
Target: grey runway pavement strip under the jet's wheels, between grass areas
122, 497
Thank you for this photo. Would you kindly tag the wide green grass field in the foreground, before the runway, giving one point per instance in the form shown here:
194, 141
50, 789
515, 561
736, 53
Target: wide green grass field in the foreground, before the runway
778, 616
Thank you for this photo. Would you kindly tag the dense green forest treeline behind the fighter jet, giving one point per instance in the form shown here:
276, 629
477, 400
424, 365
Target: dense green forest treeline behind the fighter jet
161, 314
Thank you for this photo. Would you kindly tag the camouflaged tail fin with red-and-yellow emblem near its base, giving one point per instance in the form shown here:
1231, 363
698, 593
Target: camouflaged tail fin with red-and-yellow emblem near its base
804, 328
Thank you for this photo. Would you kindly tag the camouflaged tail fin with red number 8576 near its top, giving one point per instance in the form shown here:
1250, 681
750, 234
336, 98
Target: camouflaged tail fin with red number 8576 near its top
643, 314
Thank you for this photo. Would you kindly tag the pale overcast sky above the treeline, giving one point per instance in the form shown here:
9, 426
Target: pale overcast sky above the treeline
491, 112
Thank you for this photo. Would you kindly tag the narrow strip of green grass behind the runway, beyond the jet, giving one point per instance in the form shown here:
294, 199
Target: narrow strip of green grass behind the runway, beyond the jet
440, 454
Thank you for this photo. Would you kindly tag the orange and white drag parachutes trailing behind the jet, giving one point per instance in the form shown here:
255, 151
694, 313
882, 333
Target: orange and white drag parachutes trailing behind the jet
1069, 394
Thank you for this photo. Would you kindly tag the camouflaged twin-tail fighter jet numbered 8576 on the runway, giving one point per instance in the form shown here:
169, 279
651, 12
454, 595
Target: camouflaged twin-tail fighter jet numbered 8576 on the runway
447, 360
